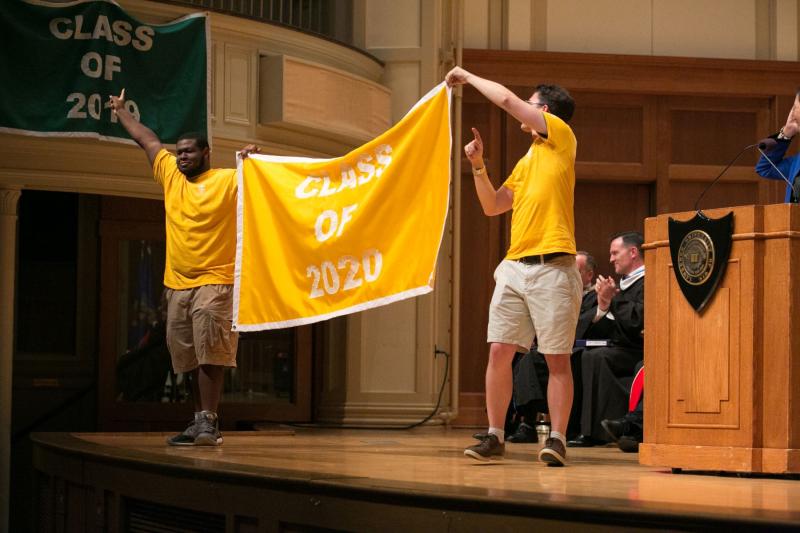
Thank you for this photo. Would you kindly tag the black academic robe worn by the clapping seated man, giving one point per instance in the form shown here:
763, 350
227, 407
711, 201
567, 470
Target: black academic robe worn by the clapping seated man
607, 371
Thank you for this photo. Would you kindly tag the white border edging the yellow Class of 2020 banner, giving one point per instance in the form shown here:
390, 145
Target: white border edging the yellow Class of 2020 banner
378, 302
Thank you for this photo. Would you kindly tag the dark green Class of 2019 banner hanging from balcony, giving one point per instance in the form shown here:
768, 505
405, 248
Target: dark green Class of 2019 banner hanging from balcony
60, 62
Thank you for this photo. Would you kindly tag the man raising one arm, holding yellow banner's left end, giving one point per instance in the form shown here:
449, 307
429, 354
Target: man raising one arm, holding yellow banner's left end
200, 206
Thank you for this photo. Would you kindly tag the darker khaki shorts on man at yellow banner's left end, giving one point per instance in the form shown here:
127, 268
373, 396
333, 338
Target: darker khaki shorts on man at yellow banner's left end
199, 327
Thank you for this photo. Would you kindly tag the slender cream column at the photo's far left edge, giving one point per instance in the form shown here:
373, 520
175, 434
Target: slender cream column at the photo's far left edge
8, 252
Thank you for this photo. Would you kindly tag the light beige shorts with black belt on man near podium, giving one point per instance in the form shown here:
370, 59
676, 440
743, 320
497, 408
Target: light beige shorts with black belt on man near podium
536, 301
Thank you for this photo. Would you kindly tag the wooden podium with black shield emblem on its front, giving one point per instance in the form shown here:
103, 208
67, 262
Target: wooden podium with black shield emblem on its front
722, 388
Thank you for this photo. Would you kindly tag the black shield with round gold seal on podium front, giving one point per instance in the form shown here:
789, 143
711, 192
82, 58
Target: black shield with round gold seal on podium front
700, 248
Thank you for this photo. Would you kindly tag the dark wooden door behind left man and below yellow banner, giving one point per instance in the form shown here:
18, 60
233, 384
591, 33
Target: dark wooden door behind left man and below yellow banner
138, 390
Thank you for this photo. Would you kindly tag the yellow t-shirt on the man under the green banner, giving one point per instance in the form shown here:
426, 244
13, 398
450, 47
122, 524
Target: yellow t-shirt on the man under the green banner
201, 224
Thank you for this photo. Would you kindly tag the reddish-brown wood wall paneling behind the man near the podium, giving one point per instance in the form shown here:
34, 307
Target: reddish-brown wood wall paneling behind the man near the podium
653, 132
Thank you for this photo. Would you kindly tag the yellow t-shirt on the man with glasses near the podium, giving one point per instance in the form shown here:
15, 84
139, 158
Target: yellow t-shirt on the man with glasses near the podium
543, 181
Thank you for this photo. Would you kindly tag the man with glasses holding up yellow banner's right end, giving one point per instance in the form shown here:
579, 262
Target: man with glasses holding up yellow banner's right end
538, 288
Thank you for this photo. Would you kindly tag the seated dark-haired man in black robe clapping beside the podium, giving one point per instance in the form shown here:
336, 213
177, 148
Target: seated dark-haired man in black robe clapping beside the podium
606, 371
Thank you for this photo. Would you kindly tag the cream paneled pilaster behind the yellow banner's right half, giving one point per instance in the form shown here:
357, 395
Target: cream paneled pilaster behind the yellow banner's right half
380, 365
